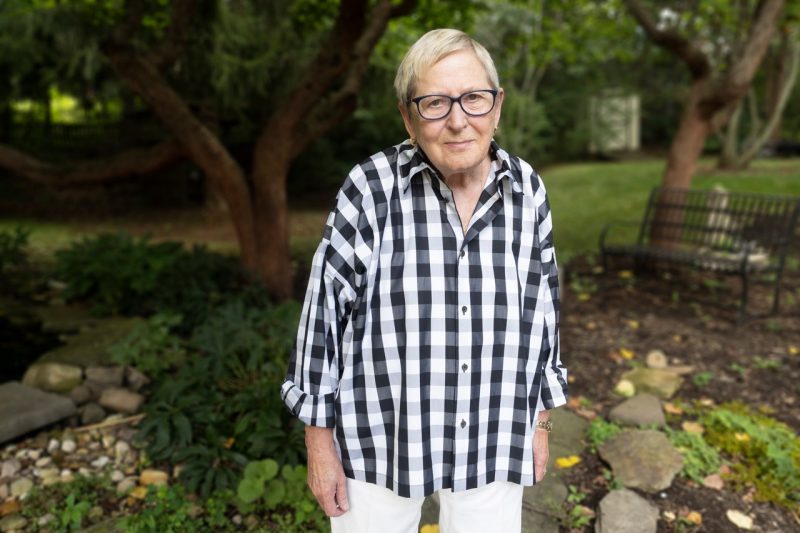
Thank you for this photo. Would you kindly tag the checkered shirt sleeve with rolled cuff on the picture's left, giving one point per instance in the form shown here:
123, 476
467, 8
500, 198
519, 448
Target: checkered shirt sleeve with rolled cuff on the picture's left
312, 380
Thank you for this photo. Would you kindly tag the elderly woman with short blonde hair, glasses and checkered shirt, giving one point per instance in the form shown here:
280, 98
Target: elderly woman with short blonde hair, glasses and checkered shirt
427, 356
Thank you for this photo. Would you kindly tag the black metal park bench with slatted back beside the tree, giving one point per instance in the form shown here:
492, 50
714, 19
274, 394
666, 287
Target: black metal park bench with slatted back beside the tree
715, 230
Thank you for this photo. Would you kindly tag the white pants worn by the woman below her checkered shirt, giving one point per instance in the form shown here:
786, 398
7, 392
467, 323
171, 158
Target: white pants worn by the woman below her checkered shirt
374, 509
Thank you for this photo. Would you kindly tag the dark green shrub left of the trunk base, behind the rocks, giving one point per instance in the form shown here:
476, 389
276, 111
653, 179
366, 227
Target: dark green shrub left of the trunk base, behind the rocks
117, 273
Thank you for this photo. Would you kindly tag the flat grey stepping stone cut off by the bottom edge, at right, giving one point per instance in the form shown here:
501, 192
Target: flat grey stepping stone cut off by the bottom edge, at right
624, 511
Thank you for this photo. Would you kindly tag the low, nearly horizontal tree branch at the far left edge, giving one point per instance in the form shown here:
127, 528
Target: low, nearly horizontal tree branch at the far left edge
100, 170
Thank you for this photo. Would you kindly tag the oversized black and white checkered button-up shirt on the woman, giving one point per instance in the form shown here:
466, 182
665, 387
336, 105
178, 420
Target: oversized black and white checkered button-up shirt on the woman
431, 351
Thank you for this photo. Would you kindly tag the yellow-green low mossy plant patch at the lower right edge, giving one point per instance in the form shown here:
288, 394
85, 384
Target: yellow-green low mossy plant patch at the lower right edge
765, 453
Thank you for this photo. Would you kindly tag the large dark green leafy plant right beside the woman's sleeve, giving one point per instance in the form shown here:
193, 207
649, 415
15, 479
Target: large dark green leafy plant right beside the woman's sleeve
222, 406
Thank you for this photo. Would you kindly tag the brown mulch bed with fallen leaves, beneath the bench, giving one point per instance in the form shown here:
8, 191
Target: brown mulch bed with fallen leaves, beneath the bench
691, 317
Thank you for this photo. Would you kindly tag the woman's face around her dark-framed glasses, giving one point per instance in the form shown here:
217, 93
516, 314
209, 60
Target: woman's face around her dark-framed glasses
457, 143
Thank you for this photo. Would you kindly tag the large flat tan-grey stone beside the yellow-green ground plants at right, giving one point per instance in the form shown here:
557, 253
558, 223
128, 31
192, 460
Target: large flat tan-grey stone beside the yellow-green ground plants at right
642, 459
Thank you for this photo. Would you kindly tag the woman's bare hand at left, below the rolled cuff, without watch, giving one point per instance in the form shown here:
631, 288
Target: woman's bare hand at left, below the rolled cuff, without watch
326, 477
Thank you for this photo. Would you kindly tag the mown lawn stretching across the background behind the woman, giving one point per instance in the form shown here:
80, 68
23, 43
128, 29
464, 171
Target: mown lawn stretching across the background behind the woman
583, 196
